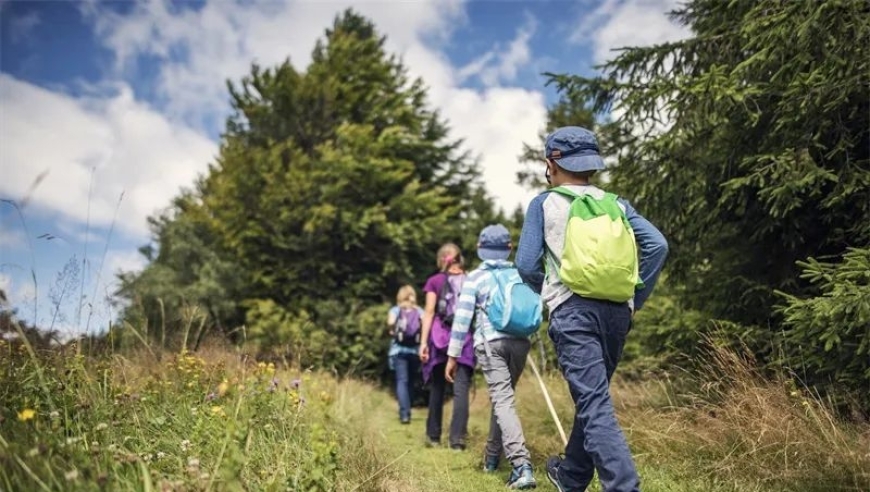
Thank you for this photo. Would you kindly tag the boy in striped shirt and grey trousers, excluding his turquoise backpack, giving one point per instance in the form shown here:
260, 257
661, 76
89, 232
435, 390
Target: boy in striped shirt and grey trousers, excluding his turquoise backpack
502, 357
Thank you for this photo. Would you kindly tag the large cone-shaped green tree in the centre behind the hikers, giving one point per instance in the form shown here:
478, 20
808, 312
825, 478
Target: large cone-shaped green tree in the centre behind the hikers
333, 187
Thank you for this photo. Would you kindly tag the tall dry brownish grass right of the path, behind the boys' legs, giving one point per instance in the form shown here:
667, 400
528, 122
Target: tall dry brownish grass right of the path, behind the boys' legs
729, 424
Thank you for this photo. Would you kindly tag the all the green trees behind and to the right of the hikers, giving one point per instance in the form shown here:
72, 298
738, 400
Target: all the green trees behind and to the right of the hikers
748, 143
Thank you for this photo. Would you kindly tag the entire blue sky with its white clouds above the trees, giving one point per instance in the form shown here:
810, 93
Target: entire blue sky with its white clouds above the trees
107, 109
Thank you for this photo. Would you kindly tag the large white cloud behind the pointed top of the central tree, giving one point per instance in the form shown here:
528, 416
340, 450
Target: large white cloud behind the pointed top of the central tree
221, 40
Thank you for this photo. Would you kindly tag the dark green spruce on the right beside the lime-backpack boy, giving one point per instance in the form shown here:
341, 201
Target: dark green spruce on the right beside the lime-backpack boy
748, 144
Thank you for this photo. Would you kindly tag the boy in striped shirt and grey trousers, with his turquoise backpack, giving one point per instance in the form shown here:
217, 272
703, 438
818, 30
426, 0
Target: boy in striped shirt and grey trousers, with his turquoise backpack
501, 343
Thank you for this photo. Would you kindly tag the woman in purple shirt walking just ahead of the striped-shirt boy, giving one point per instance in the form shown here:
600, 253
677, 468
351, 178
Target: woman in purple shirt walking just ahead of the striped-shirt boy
442, 291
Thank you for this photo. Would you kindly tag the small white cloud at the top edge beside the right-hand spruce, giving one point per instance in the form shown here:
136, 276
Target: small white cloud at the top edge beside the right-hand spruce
626, 23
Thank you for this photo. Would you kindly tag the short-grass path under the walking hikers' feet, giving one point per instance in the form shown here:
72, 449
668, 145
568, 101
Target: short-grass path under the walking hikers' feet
414, 467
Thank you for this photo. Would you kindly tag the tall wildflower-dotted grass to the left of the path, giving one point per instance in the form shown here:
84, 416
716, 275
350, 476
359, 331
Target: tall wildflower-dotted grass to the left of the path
211, 421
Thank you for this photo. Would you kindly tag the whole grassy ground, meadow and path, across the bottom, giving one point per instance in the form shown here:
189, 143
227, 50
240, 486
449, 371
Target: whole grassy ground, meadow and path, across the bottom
219, 420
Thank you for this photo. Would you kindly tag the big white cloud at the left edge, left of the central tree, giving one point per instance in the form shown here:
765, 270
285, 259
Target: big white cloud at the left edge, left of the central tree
94, 150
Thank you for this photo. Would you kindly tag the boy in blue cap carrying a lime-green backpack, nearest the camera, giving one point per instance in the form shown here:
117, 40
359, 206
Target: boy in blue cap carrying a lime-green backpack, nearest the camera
591, 304
